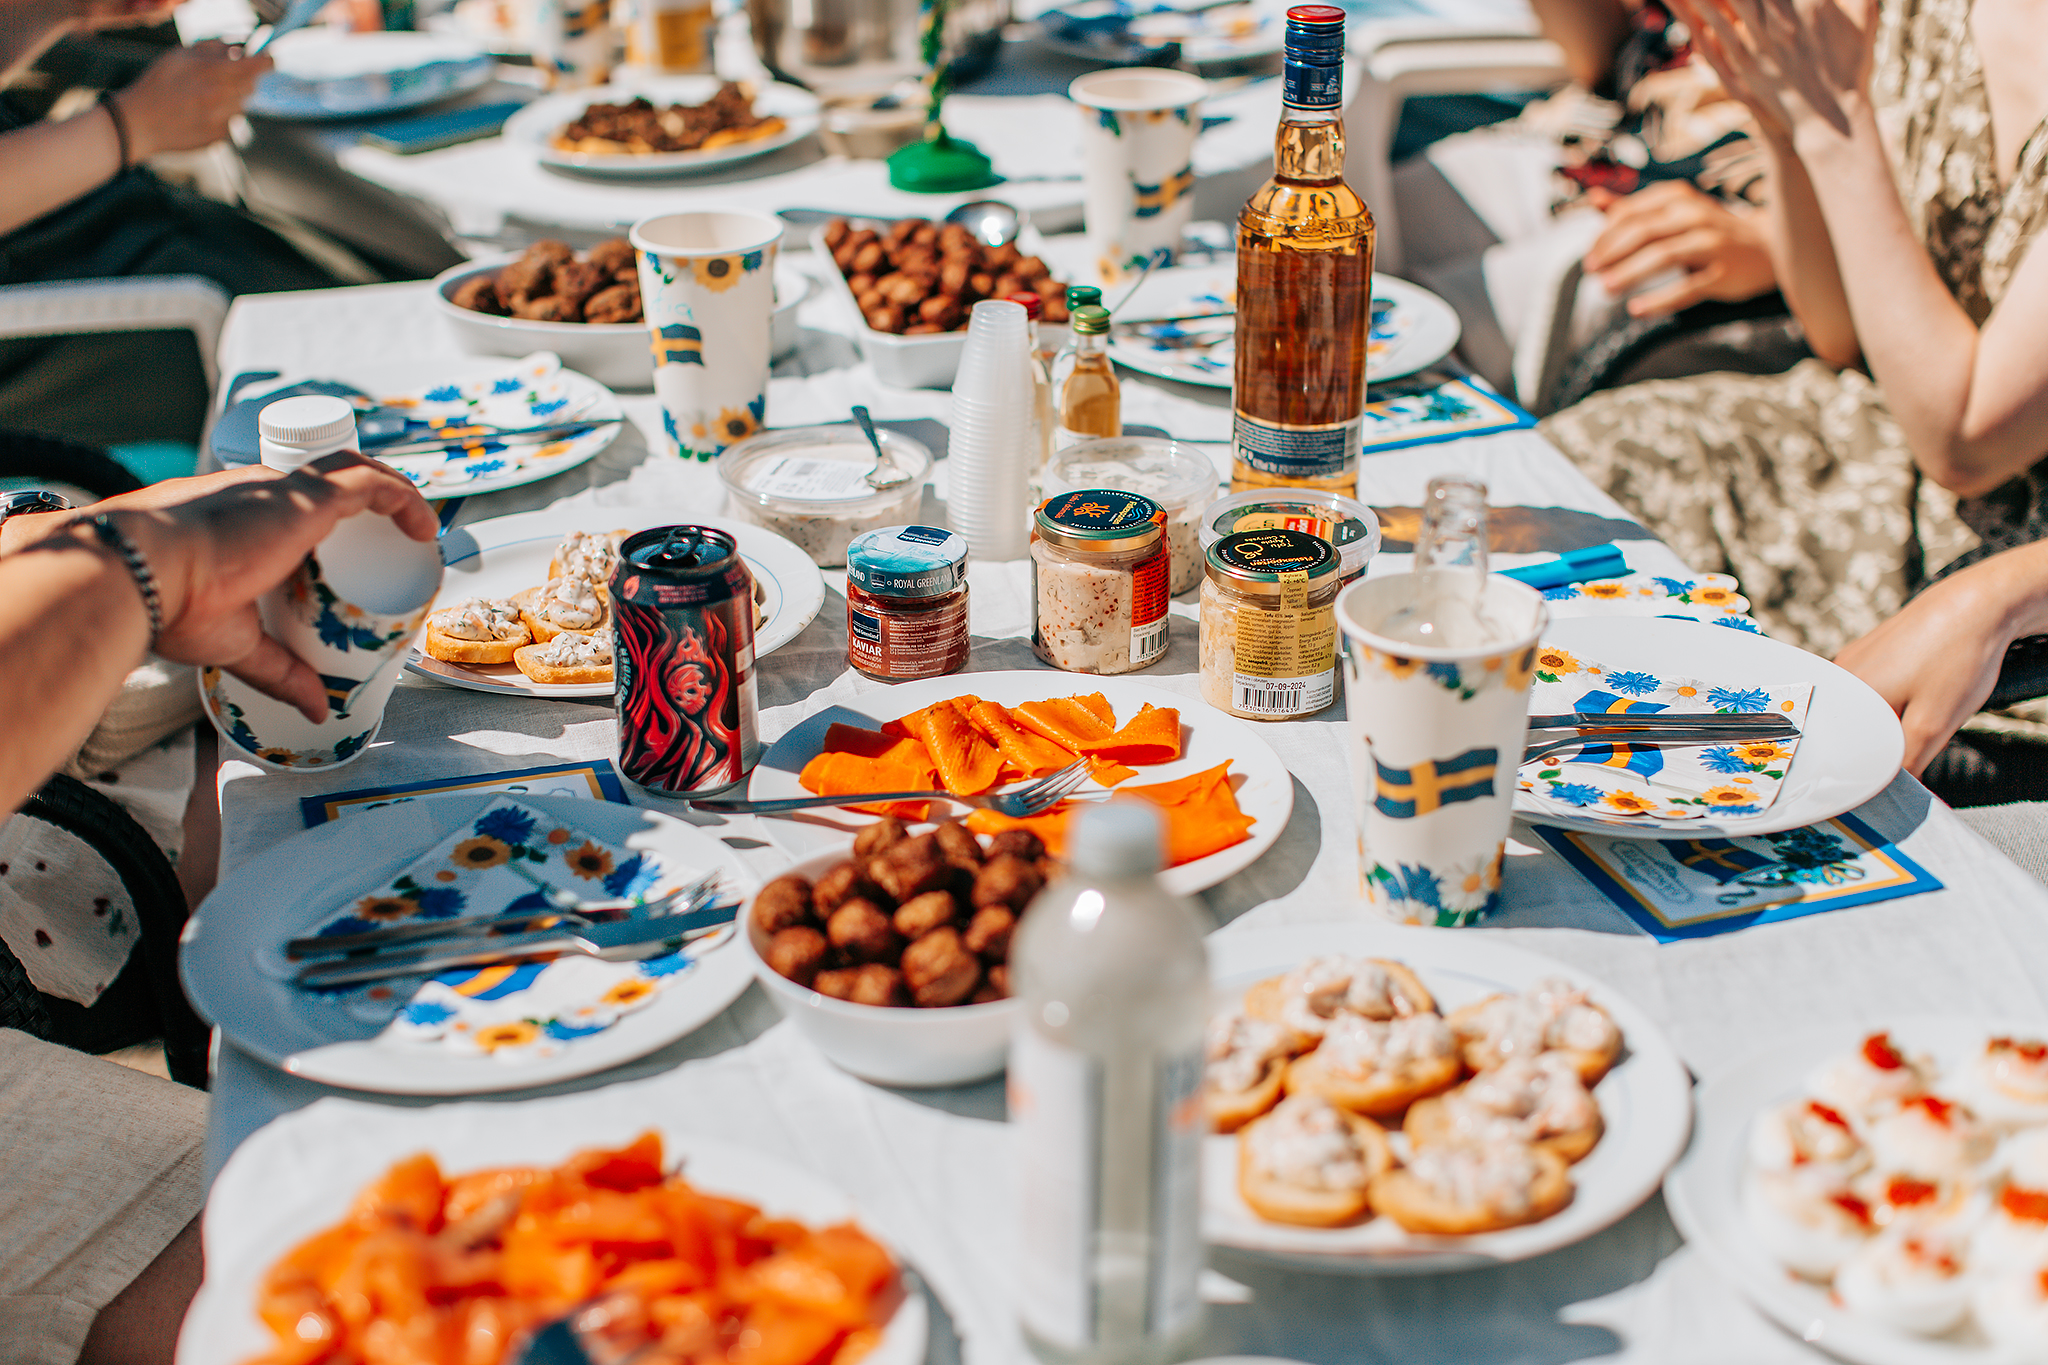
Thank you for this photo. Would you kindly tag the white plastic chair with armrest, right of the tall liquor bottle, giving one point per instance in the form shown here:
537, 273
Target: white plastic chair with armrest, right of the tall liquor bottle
1406, 58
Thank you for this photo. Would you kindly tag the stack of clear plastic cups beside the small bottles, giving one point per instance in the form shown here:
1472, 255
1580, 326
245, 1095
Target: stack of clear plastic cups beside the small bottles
990, 455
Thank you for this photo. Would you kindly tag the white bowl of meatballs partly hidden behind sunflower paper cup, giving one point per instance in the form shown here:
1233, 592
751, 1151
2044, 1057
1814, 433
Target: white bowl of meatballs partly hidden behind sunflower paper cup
583, 306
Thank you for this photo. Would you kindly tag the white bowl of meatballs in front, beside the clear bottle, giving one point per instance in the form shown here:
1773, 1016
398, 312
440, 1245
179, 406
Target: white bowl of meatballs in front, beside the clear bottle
892, 959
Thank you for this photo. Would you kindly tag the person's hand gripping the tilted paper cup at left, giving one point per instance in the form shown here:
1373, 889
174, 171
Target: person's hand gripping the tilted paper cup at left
220, 543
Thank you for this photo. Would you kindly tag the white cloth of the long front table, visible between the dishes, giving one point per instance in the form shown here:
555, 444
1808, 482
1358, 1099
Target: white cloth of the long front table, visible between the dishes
933, 1168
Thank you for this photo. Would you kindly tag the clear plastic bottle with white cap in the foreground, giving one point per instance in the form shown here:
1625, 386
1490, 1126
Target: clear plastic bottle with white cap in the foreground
1107, 1094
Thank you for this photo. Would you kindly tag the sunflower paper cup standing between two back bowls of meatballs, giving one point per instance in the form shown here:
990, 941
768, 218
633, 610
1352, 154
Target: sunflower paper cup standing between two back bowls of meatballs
708, 288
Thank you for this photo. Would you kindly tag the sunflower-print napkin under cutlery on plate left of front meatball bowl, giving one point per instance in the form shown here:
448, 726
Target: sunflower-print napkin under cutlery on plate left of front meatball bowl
497, 867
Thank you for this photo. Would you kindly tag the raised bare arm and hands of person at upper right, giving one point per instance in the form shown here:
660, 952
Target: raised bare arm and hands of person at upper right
1973, 402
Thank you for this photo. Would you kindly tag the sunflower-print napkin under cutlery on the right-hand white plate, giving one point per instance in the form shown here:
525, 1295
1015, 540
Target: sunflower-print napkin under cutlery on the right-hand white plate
1674, 787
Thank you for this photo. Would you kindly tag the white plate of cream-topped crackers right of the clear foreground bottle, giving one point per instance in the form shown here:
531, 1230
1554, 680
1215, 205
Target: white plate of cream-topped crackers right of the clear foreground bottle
1390, 1100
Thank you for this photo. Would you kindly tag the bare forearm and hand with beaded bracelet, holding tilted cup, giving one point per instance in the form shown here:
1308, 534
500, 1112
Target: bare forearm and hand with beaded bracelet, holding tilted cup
73, 621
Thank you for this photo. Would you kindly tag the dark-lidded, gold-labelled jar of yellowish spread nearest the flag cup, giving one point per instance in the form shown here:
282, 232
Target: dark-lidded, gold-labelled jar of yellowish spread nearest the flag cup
1271, 625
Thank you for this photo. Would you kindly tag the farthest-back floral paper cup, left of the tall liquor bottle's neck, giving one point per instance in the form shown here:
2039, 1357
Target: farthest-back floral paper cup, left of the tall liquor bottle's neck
1138, 163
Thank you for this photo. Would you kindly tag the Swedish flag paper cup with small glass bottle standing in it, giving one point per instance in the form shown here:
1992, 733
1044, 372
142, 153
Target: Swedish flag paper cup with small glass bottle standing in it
1437, 738
